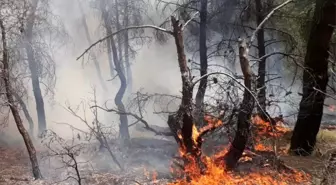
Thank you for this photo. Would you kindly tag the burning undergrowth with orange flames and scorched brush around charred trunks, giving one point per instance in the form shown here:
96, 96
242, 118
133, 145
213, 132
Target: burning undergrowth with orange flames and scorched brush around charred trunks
198, 169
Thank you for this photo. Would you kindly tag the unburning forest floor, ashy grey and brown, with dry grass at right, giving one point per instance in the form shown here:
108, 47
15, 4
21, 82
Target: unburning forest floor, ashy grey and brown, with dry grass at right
145, 159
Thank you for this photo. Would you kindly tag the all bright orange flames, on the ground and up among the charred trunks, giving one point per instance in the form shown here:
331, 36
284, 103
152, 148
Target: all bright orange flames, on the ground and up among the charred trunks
214, 171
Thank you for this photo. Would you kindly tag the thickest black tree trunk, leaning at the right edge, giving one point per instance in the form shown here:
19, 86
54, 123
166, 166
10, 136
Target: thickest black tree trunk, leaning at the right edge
315, 76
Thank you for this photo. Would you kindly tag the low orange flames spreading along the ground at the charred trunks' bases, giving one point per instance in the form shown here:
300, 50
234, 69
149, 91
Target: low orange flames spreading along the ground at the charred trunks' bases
216, 174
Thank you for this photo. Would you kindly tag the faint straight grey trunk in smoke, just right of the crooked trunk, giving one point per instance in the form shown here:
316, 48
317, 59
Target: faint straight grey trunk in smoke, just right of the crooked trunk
126, 51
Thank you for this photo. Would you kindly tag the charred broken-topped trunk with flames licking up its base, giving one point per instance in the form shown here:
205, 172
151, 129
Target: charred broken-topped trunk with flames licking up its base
190, 146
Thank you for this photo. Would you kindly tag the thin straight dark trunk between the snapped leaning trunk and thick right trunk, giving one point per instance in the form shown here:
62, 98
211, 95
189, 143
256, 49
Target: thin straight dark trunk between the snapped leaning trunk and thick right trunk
261, 86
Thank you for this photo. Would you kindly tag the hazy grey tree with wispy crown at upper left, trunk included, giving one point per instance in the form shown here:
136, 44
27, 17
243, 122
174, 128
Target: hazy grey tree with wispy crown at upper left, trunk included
30, 23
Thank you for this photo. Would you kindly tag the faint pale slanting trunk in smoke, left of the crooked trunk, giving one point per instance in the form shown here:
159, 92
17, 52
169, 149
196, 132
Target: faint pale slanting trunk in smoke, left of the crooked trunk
94, 58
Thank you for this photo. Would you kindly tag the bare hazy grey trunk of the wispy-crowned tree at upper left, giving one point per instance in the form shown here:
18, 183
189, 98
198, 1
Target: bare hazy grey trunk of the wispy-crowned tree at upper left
34, 70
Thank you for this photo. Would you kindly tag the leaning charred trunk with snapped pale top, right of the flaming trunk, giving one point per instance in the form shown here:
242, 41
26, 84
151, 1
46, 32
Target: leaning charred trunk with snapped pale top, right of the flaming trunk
246, 107
